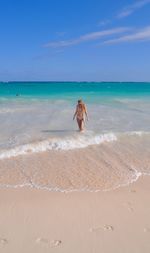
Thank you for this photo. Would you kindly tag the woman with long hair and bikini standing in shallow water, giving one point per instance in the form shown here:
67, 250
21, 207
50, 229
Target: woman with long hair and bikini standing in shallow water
80, 114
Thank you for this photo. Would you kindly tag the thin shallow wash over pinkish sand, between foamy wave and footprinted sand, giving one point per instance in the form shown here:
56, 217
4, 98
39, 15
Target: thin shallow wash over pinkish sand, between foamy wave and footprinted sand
98, 167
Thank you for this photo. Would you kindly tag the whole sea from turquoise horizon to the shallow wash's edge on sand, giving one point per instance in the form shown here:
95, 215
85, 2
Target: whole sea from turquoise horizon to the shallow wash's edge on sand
40, 145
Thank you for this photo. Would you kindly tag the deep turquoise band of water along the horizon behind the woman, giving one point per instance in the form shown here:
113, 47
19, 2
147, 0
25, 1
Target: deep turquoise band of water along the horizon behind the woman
70, 90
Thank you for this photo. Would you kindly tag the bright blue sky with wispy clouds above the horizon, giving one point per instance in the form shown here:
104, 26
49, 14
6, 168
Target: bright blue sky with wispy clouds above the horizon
88, 40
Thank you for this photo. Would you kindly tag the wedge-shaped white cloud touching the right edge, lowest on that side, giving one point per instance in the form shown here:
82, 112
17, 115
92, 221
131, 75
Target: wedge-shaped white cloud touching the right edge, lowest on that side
141, 35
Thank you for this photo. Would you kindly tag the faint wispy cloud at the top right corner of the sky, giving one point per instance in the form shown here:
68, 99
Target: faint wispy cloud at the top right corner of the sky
128, 10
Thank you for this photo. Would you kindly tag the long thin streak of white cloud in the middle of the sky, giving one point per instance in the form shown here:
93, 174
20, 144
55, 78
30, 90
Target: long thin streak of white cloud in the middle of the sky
85, 38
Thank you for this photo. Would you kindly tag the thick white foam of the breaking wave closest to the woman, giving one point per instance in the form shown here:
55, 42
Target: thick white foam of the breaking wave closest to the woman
77, 142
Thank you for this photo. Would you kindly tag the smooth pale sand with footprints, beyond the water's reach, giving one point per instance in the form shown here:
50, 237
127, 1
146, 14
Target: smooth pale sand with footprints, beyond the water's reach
41, 221
